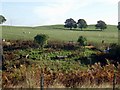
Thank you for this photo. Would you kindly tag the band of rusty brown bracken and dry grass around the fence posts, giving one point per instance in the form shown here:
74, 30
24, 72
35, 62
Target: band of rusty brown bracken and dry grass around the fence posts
60, 80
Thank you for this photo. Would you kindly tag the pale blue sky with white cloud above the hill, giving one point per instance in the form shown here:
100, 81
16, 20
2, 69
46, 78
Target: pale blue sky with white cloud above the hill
50, 12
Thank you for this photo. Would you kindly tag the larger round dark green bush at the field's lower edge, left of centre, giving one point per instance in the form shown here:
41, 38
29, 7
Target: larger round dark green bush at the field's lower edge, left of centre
41, 39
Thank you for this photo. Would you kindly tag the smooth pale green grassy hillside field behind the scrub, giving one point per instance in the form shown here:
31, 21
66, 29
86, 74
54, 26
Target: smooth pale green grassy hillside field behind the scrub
58, 32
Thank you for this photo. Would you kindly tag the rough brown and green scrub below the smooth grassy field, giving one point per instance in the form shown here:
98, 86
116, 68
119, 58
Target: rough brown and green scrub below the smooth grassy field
61, 66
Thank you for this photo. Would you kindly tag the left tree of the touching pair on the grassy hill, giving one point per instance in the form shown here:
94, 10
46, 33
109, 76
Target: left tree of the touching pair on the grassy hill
70, 23
